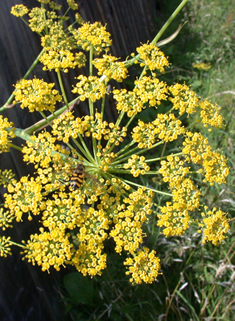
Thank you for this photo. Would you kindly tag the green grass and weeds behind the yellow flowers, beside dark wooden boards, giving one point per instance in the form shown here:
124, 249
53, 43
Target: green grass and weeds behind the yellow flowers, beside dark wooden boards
198, 281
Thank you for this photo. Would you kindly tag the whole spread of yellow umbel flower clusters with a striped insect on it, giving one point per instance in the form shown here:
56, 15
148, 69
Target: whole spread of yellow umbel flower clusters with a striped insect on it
89, 183
